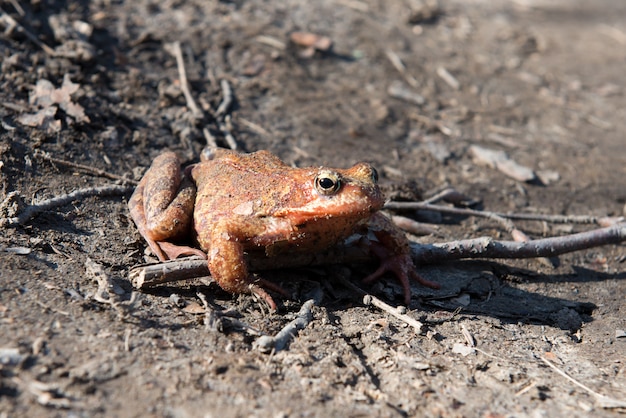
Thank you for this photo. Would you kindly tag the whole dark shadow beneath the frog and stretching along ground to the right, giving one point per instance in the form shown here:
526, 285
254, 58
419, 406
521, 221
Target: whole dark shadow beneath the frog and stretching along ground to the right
476, 287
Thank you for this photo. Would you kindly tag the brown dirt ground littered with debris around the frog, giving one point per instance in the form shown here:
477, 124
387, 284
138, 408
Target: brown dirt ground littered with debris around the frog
409, 86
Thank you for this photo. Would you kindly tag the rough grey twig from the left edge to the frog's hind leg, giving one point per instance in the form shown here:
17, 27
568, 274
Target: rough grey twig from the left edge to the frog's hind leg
36, 209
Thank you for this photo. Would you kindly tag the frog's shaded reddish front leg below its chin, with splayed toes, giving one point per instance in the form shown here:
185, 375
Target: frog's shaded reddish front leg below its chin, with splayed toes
394, 252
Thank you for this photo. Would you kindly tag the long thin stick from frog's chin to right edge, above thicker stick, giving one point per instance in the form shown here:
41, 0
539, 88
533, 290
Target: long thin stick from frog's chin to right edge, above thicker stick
516, 216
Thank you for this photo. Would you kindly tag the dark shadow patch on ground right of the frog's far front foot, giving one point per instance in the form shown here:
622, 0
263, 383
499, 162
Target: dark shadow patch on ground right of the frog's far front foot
484, 288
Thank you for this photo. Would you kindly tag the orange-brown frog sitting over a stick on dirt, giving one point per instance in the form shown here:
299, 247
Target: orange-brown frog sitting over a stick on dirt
233, 205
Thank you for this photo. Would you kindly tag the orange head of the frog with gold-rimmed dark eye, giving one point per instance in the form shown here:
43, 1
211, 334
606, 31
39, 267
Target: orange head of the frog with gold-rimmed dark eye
326, 193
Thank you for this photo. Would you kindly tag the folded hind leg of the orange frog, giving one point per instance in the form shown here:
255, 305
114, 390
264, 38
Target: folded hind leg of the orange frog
162, 207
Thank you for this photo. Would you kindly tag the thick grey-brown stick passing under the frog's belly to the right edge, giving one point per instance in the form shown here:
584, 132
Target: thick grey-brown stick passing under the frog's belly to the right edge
146, 276
